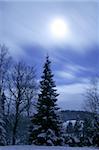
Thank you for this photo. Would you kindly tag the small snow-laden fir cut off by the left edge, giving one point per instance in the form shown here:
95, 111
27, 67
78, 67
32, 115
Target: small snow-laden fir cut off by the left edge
2, 123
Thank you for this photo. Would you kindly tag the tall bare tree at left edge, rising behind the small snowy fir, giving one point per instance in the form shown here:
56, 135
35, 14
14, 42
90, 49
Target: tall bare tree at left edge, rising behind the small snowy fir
5, 61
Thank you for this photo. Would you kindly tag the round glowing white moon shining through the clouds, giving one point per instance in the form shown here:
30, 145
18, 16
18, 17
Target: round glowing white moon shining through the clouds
59, 29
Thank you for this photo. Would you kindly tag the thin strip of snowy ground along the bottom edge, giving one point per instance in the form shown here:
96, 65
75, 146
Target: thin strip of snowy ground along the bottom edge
45, 148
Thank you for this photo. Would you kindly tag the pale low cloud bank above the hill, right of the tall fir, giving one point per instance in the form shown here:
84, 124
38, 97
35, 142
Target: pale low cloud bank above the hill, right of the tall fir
71, 96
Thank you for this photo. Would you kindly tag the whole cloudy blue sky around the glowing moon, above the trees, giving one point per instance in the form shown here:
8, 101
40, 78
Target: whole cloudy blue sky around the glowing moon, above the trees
25, 29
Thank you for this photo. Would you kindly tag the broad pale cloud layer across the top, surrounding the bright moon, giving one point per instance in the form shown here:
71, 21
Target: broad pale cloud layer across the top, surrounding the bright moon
22, 22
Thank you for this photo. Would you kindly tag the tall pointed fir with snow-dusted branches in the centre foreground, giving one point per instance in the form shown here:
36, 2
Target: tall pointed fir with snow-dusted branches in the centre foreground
47, 127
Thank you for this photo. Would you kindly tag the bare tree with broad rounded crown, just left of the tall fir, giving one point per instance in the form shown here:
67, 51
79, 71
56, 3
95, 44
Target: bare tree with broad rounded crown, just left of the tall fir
22, 88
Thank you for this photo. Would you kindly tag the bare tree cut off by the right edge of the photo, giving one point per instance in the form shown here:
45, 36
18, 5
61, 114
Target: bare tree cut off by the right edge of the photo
92, 105
